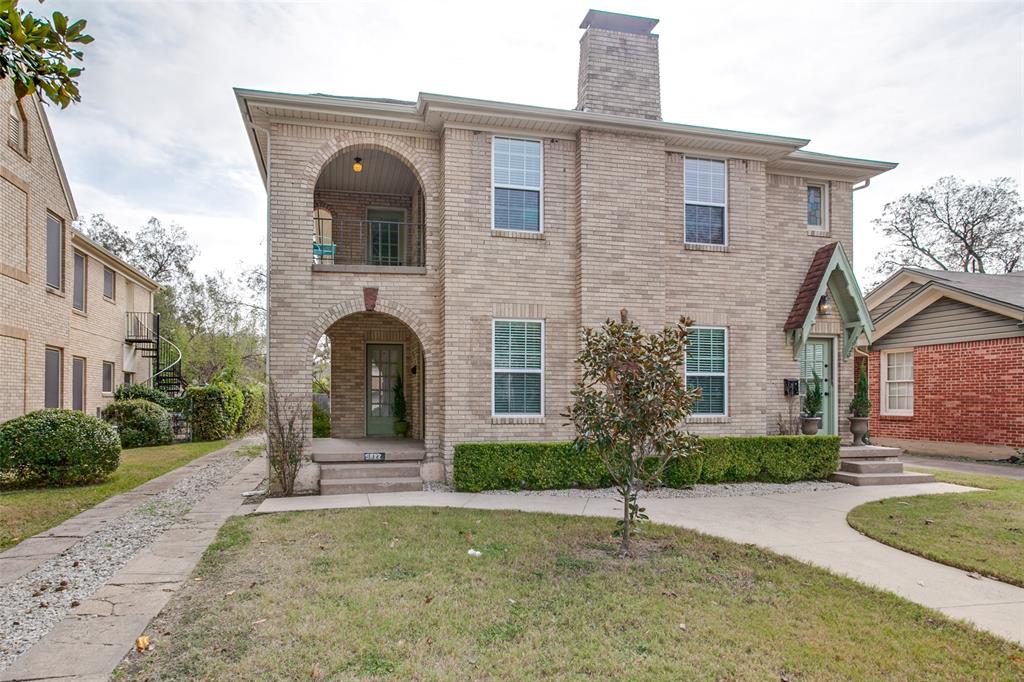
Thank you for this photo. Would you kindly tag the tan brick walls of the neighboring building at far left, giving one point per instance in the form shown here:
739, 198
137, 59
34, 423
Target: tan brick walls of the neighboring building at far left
33, 316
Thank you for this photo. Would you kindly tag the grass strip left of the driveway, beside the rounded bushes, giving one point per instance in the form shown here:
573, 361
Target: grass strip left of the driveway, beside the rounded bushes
28, 511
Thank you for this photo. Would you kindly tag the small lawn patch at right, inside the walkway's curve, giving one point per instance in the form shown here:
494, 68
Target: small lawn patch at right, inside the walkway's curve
979, 532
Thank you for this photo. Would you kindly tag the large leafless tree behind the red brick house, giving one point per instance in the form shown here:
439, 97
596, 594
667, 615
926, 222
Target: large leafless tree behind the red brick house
955, 226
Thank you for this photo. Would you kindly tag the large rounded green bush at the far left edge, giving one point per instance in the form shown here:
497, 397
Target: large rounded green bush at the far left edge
59, 448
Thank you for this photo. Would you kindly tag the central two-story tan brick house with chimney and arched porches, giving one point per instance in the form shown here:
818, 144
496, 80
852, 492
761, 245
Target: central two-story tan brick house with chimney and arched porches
462, 244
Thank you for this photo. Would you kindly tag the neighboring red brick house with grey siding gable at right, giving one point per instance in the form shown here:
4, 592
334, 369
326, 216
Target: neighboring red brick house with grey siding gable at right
947, 365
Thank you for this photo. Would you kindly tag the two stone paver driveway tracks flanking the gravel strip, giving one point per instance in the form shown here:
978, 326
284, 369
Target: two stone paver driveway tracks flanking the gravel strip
92, 641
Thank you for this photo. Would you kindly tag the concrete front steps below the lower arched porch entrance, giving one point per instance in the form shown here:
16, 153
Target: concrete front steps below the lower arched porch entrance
345, 471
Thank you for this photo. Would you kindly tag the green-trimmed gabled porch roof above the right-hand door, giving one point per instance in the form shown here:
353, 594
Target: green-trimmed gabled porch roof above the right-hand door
830, 272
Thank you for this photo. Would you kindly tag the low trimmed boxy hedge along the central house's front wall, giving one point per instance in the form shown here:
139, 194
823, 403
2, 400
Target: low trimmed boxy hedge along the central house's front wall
538, 466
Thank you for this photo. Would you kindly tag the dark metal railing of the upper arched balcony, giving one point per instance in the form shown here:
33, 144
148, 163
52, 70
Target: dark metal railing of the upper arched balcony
376, 243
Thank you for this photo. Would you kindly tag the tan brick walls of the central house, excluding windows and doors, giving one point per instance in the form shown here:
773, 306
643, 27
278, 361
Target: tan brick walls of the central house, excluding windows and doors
613, 237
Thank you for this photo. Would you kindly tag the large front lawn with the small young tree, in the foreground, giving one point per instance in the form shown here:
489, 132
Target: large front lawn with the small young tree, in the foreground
392, 593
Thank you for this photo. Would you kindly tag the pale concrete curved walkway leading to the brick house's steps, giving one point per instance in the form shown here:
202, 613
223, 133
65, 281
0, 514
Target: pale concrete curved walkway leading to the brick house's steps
808, 527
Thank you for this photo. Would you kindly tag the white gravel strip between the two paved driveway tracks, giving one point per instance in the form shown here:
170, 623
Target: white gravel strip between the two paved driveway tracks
32, 606
